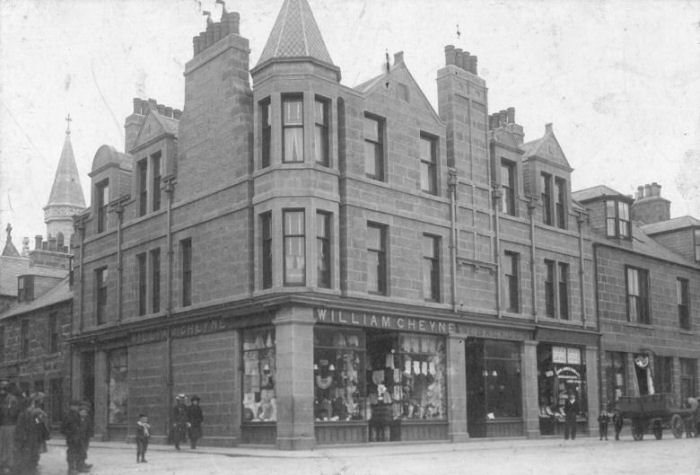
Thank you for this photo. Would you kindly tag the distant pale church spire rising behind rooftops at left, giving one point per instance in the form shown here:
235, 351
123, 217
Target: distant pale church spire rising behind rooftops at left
66, 198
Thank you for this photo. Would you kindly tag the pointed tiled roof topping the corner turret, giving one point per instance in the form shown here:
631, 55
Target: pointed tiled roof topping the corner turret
295, 35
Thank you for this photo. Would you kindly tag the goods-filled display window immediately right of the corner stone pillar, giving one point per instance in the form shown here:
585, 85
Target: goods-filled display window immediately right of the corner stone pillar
339, 359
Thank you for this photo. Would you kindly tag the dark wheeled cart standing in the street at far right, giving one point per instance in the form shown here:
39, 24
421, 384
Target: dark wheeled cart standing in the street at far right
654, 412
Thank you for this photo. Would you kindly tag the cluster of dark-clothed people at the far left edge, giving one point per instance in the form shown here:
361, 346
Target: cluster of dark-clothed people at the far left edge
23, 429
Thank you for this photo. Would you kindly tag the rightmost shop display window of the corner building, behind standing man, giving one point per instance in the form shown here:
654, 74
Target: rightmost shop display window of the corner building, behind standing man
561, 370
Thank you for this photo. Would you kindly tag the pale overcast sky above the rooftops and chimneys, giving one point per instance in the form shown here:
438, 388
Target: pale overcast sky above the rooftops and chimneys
619, 79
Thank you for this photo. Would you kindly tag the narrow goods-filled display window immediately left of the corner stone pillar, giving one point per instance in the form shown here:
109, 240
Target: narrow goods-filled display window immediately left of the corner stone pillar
259, 399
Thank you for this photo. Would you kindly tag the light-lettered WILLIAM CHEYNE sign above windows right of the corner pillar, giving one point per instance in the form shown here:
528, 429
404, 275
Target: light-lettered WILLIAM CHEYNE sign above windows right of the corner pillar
386, 322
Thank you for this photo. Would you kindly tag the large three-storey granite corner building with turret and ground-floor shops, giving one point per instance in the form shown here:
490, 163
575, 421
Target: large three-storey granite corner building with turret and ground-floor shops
325, 264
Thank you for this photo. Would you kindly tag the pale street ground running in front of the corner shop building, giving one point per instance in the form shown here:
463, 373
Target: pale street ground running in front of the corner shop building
584, 456
